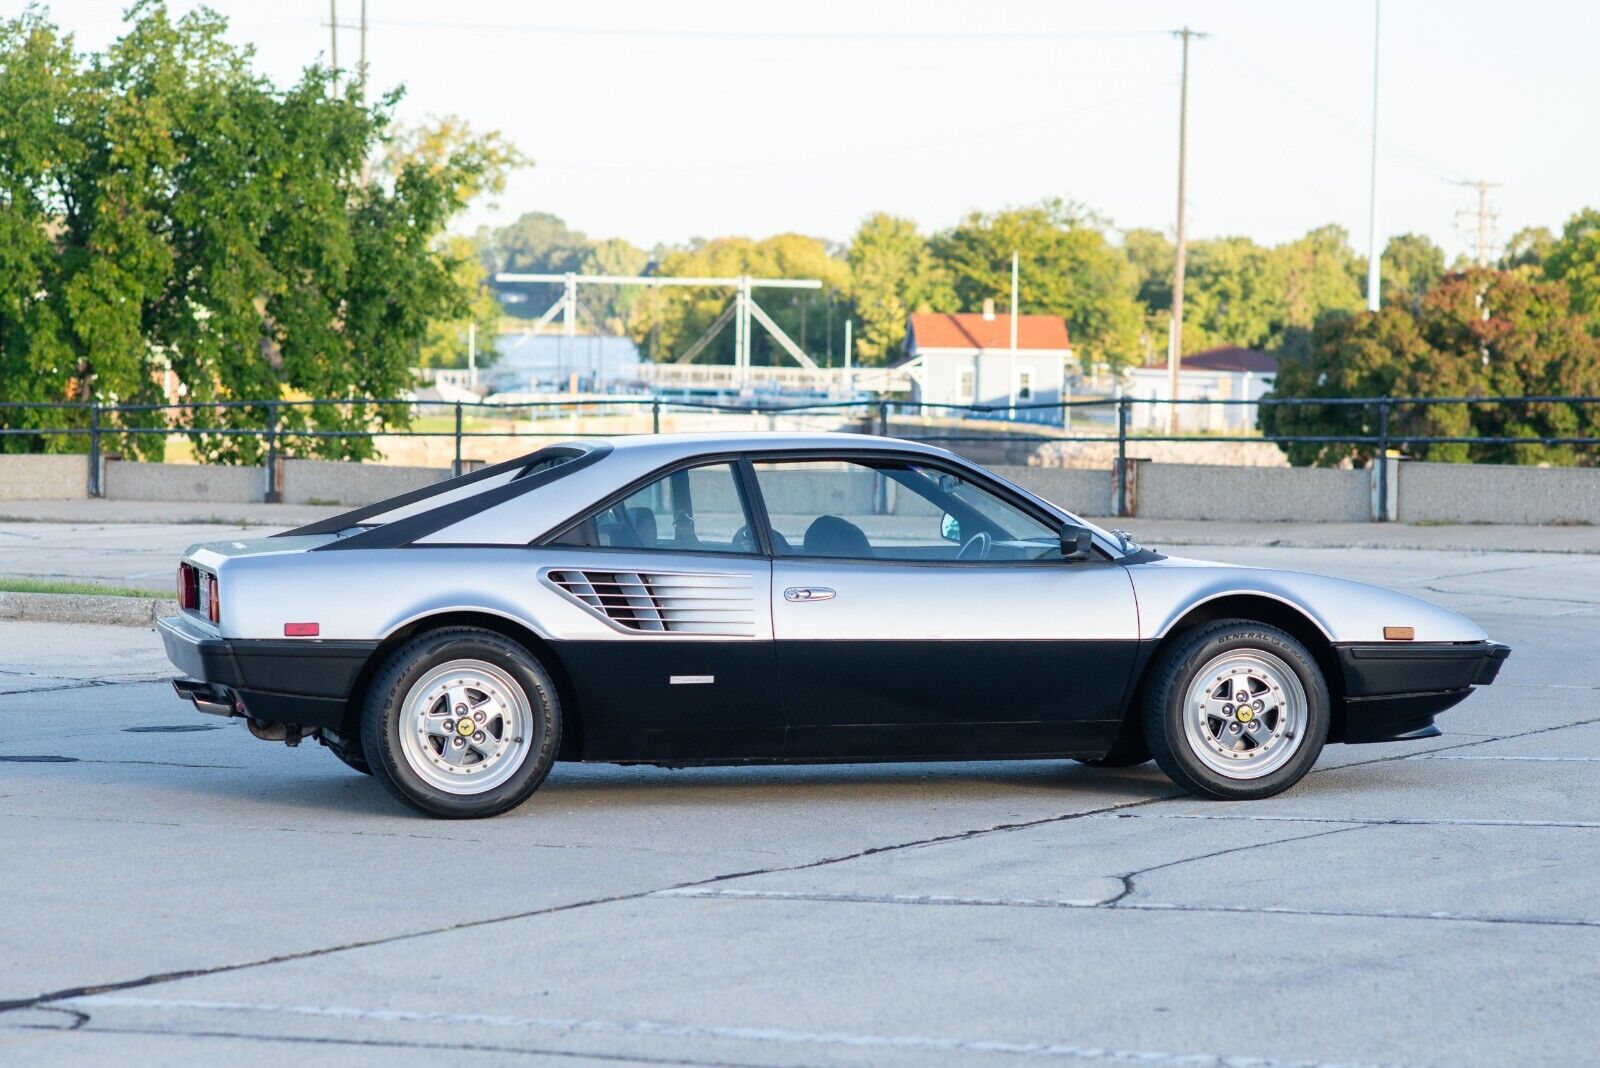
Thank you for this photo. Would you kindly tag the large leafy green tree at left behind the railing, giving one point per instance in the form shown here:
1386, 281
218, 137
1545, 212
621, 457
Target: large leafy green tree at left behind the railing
170, 215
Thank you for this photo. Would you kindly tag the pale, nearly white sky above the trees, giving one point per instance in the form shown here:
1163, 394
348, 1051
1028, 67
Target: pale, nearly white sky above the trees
660, 122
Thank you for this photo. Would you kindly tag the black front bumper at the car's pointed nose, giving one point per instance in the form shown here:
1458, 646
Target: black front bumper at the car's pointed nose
1394, 690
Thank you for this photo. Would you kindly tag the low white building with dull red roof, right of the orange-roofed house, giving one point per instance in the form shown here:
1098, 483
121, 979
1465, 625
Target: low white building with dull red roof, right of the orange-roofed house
1212, 375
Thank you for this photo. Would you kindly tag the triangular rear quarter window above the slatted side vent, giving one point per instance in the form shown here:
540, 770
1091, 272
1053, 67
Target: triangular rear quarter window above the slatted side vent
697, 509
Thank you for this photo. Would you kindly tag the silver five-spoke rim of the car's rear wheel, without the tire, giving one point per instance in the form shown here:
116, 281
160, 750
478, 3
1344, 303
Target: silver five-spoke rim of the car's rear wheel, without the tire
466, 727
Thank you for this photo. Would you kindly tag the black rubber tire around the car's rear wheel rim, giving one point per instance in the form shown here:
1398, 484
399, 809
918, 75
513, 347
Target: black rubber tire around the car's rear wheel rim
412, 664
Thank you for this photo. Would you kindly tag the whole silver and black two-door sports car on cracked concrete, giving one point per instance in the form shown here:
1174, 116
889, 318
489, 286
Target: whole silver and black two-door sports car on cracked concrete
770, 599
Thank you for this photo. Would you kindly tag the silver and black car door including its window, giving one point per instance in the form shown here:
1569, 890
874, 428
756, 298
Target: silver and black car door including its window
919, 612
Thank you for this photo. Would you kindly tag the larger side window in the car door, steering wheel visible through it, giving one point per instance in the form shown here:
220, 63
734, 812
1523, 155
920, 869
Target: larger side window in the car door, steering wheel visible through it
895, 511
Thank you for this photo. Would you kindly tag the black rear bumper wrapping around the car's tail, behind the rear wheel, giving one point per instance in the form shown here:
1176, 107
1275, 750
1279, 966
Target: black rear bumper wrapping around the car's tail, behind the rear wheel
298, 682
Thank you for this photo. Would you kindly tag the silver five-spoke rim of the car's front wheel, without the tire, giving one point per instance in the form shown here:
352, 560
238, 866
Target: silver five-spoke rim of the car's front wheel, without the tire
1246, 714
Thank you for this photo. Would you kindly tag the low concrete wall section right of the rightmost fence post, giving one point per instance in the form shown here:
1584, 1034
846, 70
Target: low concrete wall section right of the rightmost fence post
1489, 493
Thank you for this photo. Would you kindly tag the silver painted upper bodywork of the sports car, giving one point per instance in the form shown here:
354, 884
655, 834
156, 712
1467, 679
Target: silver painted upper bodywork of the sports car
484, 564
